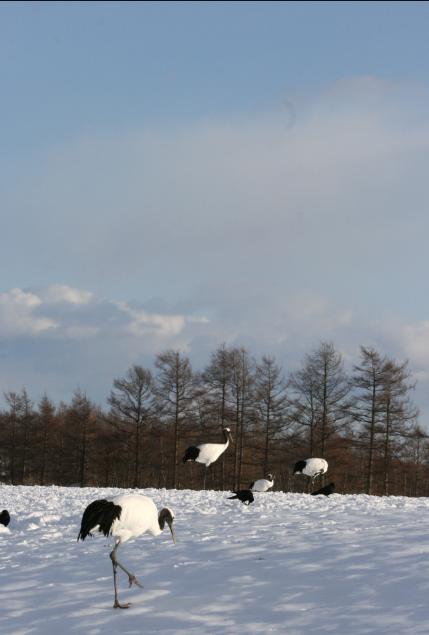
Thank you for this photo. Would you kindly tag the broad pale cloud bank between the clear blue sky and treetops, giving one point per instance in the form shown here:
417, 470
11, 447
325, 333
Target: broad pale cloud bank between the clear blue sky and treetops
272, 231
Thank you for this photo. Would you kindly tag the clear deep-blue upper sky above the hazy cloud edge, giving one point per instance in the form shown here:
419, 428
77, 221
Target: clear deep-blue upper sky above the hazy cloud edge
73, 67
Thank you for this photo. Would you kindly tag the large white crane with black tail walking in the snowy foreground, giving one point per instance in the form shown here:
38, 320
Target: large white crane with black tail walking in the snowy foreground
125, 517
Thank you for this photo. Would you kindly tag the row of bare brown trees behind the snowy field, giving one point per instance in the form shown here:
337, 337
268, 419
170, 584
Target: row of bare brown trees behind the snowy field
364, 422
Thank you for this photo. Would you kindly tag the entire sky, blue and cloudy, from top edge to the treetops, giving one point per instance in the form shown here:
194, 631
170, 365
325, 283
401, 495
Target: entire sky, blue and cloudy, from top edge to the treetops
183, 174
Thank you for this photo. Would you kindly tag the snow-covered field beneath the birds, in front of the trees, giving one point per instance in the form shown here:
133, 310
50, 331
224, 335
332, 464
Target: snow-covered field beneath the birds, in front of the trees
289, 563
